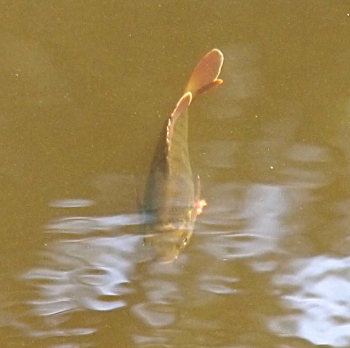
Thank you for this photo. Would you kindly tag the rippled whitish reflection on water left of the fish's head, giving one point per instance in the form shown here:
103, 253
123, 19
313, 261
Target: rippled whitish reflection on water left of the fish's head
83, 272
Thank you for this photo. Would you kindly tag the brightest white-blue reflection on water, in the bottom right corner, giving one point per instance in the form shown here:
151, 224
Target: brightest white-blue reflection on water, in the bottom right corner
316, 297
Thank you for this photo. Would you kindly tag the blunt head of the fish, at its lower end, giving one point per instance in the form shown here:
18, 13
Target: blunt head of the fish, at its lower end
166, 242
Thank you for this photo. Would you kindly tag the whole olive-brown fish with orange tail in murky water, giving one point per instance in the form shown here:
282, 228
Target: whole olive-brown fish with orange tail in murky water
172, 201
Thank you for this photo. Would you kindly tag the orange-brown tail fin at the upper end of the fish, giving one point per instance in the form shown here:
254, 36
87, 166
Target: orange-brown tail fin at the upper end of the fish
205, 74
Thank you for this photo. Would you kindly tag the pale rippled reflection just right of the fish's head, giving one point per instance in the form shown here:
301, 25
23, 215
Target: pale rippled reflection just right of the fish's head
260, 218
